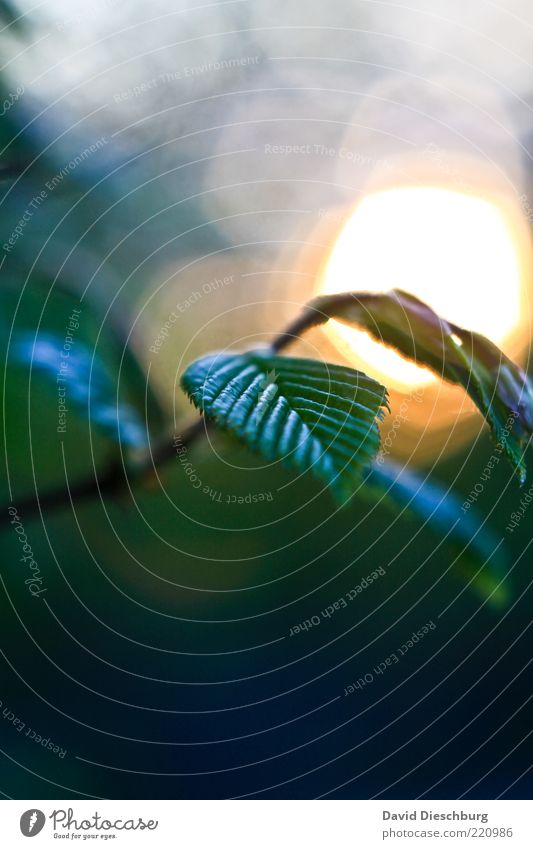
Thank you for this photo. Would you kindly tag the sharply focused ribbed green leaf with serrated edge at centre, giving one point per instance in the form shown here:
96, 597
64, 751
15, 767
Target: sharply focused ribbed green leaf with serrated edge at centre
312, 416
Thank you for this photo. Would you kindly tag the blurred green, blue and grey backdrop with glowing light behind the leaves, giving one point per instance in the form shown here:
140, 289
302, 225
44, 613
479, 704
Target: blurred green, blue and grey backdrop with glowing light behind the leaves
182, 178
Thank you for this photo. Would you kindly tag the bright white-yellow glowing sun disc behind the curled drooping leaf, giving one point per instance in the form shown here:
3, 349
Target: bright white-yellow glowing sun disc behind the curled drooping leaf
458, 252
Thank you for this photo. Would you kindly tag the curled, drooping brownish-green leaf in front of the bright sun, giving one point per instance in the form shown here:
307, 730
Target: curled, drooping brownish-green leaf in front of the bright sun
500, 389
